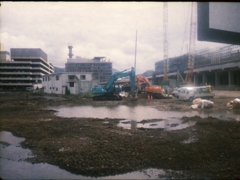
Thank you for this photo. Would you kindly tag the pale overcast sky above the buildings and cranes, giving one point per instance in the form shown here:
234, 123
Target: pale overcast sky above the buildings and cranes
98, 29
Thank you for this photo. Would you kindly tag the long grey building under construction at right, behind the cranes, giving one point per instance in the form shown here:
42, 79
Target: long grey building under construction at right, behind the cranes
219, 67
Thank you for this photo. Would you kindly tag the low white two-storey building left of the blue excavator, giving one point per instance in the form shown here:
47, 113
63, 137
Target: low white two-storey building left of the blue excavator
75, 83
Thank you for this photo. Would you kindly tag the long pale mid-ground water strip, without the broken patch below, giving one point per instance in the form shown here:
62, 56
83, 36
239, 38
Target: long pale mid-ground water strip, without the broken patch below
136, 113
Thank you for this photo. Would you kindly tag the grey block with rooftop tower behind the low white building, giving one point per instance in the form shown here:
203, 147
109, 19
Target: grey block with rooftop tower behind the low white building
100, 67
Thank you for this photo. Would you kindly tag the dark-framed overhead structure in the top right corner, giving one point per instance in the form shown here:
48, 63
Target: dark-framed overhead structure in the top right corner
219, 22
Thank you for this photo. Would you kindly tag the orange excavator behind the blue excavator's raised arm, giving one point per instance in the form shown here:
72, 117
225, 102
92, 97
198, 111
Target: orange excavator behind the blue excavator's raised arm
145, 86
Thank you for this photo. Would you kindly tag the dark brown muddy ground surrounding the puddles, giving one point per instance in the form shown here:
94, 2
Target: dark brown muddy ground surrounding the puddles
89, 147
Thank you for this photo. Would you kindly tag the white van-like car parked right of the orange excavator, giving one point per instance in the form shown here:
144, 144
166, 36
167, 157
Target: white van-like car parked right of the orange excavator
191, 93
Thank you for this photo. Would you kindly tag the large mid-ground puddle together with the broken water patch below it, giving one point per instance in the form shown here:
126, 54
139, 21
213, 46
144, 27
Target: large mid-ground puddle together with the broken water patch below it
134, 116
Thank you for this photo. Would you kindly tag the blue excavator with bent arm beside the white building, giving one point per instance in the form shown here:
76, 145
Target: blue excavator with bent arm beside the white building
108, 92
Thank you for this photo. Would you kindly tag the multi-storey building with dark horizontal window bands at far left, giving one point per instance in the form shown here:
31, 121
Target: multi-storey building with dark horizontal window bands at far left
23, 68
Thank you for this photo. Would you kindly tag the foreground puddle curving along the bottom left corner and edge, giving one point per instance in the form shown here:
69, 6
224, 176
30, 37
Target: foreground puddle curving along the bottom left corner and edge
13, 166
